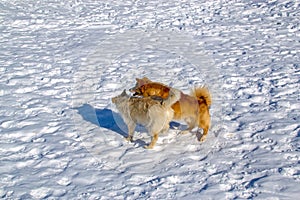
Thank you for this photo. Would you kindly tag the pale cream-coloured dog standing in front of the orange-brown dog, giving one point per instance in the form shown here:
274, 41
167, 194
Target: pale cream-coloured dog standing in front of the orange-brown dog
154, 115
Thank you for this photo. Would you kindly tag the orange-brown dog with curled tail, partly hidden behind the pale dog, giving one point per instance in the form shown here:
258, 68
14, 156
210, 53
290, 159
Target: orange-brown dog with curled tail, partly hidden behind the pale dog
193, 109
